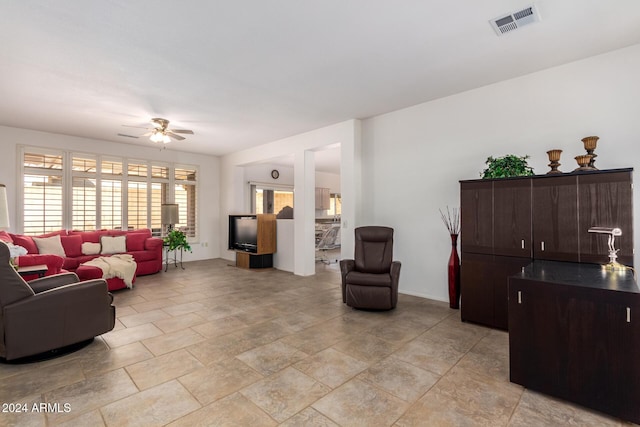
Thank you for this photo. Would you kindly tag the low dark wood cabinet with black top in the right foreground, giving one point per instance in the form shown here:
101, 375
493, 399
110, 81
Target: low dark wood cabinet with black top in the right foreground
574, 333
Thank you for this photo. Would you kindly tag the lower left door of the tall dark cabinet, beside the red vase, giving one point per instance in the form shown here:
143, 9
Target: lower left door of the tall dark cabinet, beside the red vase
476, 289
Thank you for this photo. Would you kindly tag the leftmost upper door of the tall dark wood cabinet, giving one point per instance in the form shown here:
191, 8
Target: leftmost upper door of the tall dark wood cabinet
476, 217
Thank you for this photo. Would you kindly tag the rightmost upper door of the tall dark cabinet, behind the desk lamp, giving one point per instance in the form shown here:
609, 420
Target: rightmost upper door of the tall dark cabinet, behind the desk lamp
605, 200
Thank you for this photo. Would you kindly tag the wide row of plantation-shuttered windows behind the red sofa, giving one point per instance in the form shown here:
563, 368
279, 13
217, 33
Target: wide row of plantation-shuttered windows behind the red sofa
90, 191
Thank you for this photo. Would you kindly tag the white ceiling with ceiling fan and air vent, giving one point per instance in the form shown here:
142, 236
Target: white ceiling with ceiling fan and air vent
243, 73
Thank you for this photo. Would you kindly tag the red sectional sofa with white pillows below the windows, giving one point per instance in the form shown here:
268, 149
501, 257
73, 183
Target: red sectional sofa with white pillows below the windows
146, 251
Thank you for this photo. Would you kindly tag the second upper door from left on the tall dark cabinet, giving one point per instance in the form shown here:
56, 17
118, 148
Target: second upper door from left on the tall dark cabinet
512, 217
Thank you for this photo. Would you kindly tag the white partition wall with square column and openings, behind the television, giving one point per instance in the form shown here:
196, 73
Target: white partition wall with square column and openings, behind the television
234, 191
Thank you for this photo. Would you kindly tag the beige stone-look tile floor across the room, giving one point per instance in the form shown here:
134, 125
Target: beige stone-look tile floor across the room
217, 345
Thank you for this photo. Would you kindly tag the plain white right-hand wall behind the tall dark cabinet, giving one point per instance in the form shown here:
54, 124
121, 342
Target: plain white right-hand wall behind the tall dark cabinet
413, 158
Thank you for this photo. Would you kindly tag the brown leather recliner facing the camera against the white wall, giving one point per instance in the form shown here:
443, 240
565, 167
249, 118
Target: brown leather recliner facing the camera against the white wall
370, 281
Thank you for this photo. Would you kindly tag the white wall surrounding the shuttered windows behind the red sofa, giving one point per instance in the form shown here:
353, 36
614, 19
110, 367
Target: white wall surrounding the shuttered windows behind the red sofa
208, 245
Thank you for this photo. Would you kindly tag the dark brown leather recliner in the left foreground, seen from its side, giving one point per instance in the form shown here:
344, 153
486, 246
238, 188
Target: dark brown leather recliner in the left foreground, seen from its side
49, 313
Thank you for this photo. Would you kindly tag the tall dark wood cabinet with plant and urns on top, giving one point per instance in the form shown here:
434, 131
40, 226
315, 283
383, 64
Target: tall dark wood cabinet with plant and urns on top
507, 223
